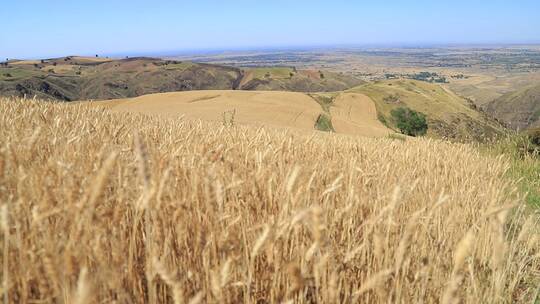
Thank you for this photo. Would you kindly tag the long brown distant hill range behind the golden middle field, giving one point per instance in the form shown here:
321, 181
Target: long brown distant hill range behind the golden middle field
83, 78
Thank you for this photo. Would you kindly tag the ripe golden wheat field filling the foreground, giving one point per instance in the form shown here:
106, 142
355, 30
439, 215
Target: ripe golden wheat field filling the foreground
101, 207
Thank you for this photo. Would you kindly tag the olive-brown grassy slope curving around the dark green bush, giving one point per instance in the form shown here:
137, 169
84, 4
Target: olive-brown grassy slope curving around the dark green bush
449, 116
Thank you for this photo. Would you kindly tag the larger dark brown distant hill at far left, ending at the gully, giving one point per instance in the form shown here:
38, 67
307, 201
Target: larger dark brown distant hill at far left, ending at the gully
73, 78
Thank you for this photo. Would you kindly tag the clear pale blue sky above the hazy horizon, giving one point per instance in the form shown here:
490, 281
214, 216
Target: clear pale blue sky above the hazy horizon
39, 28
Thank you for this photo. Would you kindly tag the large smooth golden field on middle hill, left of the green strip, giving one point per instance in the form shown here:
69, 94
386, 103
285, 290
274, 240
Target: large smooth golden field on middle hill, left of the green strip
281, 109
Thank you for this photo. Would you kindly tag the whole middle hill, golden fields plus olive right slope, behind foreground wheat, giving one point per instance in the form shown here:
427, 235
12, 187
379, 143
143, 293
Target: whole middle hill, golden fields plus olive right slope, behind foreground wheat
364, 110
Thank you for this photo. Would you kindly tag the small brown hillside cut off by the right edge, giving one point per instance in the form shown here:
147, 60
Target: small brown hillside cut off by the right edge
519, 110
